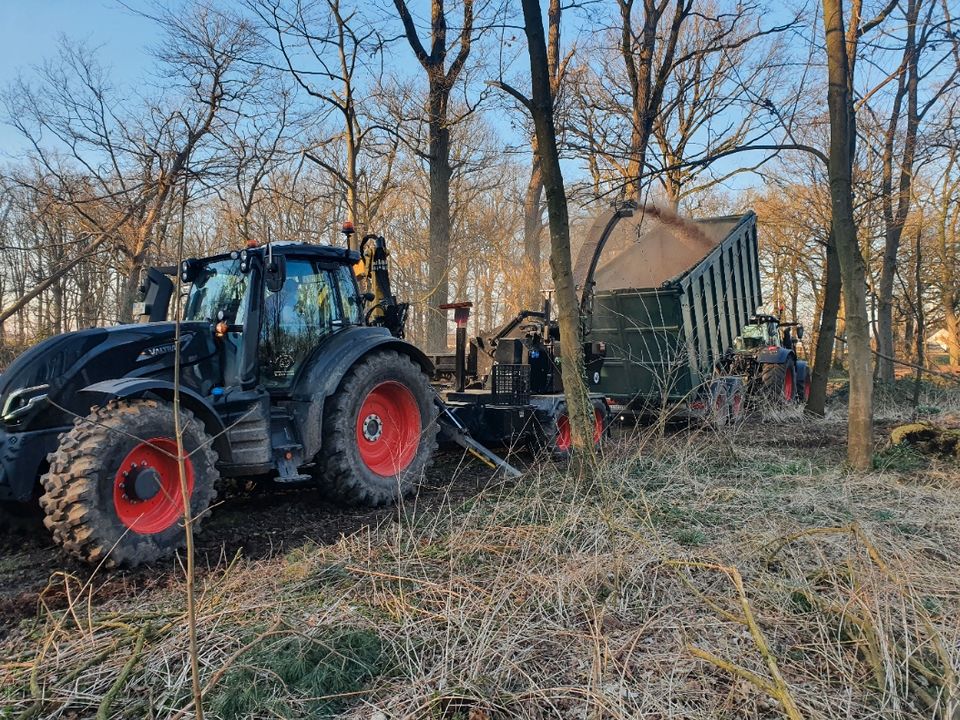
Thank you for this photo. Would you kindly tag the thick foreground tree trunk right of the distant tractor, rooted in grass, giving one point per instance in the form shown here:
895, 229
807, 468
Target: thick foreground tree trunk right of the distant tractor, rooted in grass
852, 270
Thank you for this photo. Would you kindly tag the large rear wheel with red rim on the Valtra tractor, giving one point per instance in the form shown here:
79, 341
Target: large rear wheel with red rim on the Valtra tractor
379, 431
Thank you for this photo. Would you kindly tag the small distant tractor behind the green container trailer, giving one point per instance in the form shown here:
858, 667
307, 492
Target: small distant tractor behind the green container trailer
765, 353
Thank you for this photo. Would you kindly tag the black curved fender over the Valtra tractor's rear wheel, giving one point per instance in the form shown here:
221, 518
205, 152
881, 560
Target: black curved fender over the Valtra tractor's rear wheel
326, 368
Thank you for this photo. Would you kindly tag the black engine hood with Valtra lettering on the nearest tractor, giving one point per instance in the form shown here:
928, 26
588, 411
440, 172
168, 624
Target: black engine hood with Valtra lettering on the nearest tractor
58, 368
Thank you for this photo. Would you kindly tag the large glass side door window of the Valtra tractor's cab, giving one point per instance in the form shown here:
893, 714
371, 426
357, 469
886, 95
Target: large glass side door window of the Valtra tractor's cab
296, 319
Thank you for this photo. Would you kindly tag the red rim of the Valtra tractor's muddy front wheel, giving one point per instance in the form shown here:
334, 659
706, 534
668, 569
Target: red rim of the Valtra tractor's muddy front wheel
146, 488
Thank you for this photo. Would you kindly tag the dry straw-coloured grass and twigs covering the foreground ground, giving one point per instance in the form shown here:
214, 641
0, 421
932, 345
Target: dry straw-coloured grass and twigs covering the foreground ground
697, 576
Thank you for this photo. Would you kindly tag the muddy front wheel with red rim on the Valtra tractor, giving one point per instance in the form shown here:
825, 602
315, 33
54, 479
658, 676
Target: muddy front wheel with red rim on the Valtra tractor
113, 490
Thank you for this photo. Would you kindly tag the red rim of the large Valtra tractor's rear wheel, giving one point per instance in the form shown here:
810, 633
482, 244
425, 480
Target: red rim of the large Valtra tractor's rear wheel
388, 429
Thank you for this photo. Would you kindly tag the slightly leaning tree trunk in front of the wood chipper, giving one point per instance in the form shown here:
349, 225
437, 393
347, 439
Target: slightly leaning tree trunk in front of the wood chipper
568, 309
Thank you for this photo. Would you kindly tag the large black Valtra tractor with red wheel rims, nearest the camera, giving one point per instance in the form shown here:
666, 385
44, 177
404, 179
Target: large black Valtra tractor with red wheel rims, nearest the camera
287, 371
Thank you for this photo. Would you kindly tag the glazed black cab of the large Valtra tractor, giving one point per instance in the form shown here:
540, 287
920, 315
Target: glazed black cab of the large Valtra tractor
268, 308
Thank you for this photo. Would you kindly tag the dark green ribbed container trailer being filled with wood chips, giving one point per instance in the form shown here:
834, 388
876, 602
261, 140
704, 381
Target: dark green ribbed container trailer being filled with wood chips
667, 297
